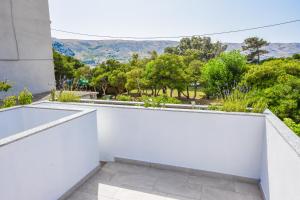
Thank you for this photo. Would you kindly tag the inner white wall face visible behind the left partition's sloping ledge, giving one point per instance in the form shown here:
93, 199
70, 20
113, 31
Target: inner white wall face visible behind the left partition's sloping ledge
19, 119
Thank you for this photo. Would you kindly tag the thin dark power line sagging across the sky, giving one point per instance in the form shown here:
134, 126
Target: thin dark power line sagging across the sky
178, 37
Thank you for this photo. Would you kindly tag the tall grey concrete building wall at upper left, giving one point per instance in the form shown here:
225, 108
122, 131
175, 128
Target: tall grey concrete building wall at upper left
25, 45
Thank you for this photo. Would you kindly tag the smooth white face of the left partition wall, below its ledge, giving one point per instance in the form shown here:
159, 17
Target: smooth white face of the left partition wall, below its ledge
45, 165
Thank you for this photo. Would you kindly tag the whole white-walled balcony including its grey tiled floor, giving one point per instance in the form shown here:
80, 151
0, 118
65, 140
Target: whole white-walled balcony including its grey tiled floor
150, 153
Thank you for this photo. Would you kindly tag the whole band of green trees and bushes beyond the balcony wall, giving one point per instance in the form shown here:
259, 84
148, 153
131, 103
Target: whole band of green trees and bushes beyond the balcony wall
196, 65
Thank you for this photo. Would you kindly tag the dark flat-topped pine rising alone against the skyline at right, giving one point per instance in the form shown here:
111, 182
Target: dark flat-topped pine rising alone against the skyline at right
253, 46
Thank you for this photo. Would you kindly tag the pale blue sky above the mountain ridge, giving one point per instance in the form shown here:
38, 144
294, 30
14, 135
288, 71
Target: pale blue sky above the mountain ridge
148, 18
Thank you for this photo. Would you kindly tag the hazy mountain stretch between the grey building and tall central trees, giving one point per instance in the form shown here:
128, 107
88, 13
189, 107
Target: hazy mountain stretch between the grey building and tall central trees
93, 52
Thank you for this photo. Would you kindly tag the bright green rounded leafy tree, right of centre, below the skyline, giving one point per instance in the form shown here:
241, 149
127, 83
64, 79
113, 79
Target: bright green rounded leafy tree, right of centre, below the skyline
220, 75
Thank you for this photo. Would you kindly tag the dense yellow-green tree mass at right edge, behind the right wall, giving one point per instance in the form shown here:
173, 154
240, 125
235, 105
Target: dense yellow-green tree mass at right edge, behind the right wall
278, 82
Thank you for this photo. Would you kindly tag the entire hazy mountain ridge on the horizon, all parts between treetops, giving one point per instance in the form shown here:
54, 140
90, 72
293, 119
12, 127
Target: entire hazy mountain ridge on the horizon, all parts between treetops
93, 52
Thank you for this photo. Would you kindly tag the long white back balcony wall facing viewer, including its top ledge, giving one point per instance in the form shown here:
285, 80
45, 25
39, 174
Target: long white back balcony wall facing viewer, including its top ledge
212, 141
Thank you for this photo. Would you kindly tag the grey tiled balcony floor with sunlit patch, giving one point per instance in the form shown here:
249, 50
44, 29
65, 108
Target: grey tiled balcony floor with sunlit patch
119, 181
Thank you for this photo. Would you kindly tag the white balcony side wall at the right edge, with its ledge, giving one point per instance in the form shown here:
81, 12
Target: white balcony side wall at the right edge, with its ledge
280, 175
